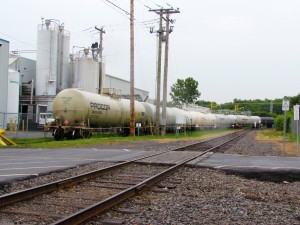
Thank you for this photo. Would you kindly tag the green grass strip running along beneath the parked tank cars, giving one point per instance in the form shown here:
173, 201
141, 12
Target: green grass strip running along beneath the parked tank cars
49, 142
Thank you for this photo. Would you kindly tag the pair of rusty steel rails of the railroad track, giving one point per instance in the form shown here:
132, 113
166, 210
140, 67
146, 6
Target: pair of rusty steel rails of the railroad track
86, 214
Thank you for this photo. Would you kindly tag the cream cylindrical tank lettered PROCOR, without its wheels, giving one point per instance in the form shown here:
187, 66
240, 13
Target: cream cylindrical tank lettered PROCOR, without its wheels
73, 106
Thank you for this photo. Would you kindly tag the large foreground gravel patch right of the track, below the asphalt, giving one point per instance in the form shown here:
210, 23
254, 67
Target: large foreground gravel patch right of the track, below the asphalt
212, 197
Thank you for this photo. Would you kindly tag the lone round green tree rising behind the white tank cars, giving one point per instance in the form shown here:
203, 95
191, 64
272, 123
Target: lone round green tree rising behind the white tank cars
185, 91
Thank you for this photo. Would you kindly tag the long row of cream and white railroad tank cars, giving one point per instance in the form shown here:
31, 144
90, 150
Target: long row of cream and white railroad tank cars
79, 113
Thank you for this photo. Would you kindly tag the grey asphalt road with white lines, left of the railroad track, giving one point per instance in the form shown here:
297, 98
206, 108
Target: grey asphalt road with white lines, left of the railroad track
18, 164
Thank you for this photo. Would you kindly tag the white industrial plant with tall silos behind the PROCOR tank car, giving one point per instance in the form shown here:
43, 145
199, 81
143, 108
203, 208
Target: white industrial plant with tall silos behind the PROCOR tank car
28, 87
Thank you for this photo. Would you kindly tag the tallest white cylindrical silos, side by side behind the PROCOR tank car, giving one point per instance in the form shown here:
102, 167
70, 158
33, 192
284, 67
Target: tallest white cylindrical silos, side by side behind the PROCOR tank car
53, 44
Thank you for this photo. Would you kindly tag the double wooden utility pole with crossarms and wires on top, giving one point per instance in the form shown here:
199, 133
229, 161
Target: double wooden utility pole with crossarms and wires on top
164, 107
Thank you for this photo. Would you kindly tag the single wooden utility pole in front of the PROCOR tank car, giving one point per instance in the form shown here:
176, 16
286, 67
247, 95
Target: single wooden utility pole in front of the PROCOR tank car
132, 110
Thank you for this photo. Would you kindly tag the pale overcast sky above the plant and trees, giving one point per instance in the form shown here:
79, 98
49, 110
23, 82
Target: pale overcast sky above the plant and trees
234, 49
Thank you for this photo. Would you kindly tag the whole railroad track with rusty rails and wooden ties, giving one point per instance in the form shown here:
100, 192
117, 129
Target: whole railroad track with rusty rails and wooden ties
77, 199
